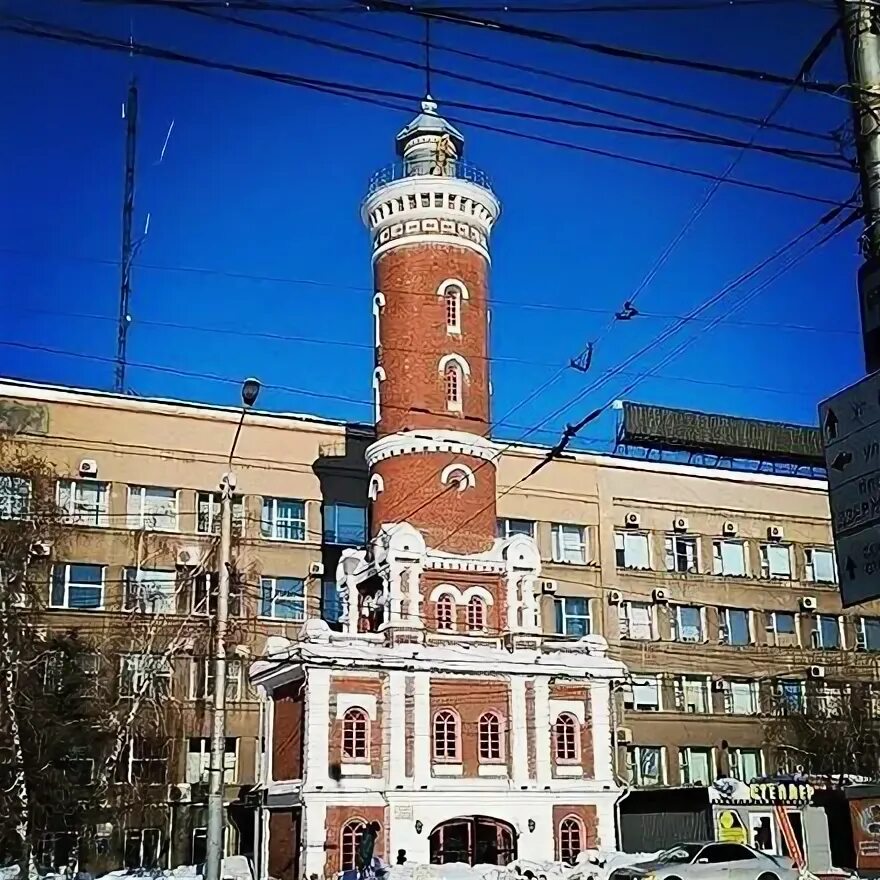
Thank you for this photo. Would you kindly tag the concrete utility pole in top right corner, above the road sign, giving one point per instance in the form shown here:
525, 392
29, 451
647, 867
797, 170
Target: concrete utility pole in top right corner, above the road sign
862, 54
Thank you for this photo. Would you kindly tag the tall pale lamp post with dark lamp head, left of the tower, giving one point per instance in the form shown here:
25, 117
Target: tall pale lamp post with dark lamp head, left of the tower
250, 390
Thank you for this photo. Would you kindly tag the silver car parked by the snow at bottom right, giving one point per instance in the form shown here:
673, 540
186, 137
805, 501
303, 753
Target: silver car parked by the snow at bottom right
710, 861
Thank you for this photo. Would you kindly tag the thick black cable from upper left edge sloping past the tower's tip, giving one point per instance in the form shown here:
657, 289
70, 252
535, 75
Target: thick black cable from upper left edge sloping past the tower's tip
65, 35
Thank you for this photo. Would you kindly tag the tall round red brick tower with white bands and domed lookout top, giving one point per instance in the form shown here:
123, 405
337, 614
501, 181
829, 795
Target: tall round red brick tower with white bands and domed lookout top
430, 217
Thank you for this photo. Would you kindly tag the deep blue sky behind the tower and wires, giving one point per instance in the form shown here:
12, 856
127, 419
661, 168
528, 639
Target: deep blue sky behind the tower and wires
261, 184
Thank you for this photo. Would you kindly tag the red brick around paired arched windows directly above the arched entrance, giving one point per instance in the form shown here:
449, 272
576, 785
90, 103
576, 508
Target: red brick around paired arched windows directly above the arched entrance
471, 698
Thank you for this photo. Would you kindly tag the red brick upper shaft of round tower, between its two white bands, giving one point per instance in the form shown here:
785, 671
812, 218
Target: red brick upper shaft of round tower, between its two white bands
413, 338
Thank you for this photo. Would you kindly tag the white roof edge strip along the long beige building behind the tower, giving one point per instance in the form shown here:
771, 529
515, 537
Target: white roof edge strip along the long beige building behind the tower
39, 391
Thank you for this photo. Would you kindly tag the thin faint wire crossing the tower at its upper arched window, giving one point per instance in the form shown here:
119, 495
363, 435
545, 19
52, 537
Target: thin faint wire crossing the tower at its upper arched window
284, 279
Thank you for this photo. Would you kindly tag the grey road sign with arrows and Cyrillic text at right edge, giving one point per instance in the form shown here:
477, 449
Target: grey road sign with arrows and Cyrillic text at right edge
850, 423
